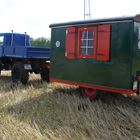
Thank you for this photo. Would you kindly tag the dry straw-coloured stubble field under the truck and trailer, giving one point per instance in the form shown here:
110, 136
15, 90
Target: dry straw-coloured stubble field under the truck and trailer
41, 111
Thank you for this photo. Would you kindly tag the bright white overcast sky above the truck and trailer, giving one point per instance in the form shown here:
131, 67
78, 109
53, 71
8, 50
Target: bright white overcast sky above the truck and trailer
35, 16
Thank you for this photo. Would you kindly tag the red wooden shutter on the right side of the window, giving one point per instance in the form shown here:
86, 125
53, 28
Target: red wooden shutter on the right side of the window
103, 48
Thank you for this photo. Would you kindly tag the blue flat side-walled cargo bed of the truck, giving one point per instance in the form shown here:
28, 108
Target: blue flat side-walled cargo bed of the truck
24, 52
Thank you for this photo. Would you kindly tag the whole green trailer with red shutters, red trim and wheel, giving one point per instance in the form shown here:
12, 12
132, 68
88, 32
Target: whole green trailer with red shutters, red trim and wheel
102, 54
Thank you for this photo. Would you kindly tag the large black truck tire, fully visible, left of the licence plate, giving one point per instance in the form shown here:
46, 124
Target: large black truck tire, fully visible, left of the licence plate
19, 73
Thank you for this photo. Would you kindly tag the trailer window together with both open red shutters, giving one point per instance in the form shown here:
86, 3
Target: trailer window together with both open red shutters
90, 42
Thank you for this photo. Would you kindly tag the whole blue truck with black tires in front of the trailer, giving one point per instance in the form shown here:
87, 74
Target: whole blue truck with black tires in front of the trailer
17, 55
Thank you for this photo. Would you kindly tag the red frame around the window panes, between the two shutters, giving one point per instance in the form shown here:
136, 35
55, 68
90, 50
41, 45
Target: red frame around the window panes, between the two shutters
79, 42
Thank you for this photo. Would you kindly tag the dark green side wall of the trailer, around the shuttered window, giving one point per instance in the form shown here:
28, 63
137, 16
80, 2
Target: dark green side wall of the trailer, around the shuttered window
114, 72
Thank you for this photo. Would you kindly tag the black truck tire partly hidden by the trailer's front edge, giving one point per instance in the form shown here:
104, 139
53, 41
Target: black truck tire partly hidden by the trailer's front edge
45, 75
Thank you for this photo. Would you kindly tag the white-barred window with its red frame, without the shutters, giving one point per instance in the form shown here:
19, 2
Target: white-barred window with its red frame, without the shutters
87, 42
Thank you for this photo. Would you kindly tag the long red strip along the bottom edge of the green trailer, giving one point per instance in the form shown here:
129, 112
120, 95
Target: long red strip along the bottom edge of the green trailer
115, 90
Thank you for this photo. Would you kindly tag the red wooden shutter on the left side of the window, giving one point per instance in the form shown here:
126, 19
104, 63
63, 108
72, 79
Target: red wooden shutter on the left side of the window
70, 43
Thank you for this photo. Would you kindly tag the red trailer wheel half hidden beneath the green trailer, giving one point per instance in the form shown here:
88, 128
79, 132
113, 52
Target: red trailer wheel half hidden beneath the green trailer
88, 93
